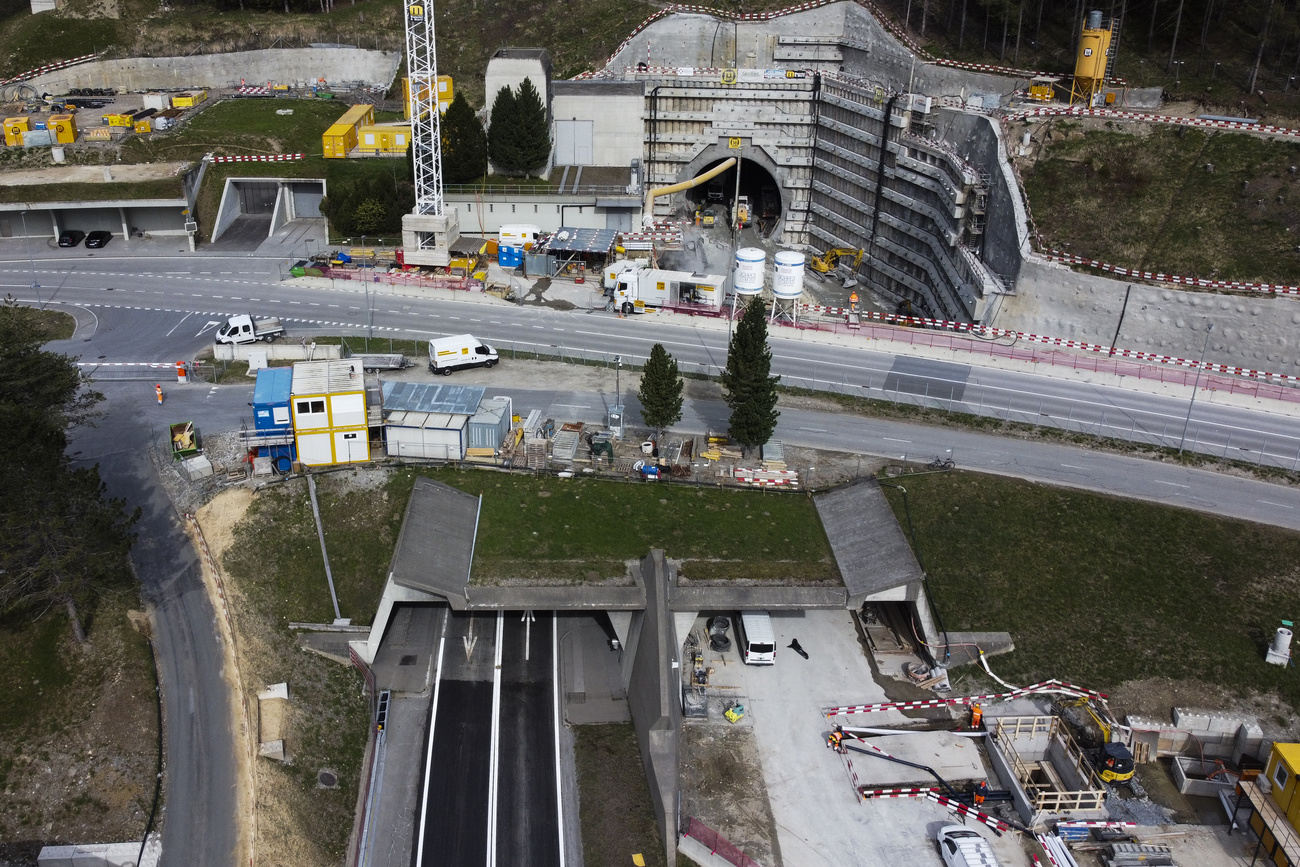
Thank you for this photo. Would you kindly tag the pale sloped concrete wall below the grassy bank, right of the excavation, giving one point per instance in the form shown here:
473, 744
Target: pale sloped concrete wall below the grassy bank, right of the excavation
1256, 332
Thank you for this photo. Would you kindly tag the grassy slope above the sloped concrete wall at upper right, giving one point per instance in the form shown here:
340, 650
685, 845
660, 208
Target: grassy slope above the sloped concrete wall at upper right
1150, 202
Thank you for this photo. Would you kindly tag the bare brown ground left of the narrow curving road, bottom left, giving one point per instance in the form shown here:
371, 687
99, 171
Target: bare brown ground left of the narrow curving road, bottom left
79, 762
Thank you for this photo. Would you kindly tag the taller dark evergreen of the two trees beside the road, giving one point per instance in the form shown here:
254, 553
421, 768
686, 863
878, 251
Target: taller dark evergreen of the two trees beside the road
748, 385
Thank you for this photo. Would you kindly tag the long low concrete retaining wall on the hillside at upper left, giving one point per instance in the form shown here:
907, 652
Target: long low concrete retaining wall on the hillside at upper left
280, 66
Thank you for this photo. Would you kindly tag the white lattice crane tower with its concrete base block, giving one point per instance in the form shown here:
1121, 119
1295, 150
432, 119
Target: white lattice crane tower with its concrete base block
430, 229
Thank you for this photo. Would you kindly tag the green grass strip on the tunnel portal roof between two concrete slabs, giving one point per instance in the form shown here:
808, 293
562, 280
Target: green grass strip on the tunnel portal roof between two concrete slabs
575, 530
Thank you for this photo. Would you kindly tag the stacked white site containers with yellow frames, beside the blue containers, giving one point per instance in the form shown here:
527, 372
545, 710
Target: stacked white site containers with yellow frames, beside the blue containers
330, 413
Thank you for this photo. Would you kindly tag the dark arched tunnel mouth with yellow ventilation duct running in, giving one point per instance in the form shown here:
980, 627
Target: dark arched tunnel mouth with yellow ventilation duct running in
761, 183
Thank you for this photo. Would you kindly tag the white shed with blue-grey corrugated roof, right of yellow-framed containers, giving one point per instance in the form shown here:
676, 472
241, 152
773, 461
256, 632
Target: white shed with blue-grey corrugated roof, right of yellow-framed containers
427, 421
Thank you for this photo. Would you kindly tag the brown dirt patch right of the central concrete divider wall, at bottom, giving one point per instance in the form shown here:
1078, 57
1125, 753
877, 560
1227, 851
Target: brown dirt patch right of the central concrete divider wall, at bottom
720, 766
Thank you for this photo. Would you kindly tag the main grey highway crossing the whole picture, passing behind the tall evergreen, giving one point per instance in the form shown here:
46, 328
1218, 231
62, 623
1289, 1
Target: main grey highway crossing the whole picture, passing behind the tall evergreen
803, 358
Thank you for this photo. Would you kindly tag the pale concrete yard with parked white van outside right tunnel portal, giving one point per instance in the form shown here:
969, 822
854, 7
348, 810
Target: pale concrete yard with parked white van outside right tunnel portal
820, 820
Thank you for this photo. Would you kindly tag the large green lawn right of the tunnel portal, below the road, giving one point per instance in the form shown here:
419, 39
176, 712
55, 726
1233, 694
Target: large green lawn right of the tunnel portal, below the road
1100, 591
